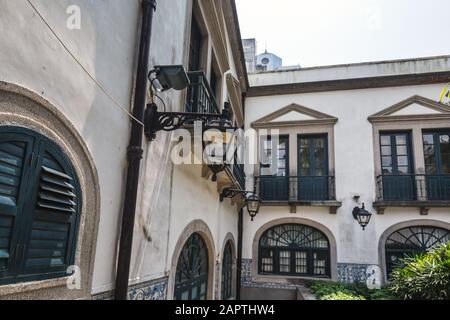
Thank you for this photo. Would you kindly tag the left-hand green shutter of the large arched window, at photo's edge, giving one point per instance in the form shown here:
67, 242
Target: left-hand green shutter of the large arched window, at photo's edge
14, 151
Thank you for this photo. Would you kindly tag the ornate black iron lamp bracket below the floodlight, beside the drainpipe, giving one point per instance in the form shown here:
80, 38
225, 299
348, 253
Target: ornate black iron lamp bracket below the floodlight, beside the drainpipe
155, 121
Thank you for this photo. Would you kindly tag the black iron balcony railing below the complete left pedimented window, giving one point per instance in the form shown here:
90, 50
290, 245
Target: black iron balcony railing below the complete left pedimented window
295, 189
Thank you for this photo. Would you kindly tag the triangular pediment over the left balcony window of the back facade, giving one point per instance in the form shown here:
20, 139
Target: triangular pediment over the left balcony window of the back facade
294, 115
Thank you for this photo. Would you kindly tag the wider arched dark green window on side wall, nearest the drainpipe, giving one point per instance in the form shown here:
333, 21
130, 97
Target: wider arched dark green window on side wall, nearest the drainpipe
191, 280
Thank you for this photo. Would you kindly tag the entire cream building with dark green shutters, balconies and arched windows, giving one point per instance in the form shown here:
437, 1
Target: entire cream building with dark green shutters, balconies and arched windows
374, 133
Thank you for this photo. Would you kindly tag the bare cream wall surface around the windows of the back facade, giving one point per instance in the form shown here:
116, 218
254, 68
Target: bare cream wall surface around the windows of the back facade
354, 163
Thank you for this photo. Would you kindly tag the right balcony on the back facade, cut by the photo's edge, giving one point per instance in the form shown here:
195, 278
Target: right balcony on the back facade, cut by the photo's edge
412, 190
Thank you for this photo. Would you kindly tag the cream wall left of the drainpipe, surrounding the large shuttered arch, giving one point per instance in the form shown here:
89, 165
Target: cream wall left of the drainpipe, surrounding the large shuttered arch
32, 57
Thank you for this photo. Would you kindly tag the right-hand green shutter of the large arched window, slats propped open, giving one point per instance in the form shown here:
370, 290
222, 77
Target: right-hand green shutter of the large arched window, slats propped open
50, 247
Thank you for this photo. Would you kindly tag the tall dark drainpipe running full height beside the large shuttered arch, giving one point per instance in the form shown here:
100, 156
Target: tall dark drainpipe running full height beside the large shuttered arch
134, 153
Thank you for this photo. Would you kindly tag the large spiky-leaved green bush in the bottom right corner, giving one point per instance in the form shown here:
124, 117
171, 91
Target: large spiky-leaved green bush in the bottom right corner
424, 277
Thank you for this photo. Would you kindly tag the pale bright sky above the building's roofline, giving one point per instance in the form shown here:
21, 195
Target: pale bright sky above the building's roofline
326, 32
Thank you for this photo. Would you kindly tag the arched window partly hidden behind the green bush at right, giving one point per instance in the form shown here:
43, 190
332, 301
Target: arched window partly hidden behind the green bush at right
412, 240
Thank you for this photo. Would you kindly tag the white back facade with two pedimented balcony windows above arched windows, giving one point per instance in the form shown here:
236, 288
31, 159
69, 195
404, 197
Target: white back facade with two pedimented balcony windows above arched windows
373, 134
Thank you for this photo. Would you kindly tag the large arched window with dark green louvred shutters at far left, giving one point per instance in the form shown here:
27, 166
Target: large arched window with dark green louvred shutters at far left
39, 207
